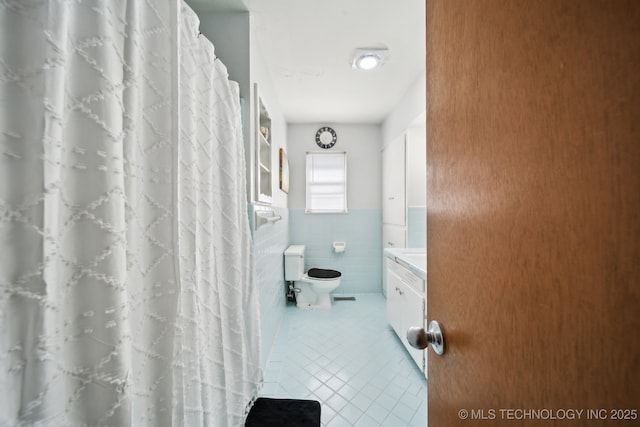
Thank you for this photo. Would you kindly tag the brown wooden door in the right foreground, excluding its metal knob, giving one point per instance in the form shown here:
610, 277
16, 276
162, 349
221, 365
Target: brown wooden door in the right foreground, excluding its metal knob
533, 196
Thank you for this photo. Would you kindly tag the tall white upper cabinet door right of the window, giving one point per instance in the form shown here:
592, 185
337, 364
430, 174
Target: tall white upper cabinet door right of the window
393, 183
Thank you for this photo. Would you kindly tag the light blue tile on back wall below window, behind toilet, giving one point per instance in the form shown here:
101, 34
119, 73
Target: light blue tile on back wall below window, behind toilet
361, 229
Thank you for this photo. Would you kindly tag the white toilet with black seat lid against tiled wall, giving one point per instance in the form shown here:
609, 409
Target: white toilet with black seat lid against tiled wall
312, 288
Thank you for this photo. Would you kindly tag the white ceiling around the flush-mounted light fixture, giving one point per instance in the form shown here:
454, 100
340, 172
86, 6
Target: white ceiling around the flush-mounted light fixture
307, 46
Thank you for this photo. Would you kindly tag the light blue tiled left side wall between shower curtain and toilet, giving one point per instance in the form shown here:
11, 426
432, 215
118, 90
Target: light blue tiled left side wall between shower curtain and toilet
269, 243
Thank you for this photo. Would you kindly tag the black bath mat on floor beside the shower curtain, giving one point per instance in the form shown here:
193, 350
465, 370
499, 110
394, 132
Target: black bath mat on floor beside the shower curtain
284, 413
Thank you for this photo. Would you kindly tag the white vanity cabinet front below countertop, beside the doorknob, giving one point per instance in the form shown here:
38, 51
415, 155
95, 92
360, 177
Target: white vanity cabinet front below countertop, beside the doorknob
405, 304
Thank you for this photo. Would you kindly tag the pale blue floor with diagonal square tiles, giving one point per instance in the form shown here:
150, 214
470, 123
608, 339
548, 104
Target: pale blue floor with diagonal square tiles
350, 360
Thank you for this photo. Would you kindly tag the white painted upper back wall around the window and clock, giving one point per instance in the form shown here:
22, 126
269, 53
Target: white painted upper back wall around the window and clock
364, 165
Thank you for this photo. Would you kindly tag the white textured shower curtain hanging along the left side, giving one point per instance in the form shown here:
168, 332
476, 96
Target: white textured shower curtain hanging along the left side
127, 293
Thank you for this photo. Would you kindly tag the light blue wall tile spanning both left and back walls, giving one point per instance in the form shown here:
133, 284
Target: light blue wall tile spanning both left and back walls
360, 264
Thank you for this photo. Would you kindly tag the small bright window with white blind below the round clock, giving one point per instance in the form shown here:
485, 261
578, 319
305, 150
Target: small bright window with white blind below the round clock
326, 183
